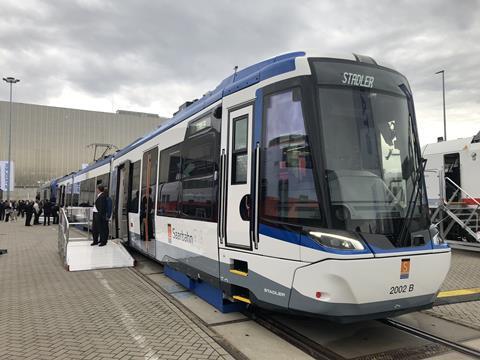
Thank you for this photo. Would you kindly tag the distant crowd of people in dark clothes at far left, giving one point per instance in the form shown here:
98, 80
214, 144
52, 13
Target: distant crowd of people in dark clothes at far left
12, 210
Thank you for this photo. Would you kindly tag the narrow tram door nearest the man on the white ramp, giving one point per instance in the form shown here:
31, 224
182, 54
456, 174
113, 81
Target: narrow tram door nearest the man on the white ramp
123, 193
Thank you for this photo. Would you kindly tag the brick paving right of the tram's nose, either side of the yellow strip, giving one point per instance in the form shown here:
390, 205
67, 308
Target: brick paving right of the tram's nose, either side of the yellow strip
464, 274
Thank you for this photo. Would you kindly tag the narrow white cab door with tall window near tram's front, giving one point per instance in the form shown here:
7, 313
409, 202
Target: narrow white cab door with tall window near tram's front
238, 199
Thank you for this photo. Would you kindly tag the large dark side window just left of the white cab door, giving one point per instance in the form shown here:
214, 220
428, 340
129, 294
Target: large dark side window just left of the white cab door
198, 183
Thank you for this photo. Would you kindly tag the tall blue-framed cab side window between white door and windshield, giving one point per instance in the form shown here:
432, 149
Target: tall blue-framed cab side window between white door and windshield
288, 192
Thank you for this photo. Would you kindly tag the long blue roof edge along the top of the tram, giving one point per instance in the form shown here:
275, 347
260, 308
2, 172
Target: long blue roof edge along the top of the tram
235, 82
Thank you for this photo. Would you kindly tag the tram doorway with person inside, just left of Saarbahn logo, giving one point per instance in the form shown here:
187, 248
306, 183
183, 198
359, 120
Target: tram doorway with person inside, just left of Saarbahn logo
149, 182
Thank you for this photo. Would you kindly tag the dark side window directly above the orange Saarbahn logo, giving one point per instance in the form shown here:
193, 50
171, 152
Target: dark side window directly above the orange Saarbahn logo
169, 181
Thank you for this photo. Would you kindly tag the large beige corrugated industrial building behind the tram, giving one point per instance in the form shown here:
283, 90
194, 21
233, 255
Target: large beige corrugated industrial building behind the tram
48, 142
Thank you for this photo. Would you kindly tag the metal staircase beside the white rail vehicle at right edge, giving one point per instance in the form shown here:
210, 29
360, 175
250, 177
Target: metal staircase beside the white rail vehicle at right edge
458, 217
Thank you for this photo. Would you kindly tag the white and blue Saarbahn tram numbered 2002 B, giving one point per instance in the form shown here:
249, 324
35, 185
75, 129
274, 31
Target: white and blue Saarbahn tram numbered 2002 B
297, 184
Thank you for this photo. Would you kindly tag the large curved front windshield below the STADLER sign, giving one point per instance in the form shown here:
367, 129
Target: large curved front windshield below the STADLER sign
371, 162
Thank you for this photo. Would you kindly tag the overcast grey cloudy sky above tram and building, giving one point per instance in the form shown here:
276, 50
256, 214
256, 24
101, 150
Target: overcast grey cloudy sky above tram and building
153, 55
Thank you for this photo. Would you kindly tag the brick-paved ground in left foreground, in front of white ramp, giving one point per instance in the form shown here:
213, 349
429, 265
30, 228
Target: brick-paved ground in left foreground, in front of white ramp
49, 313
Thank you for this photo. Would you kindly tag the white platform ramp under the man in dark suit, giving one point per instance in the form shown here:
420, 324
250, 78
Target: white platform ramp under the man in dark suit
82, 256
